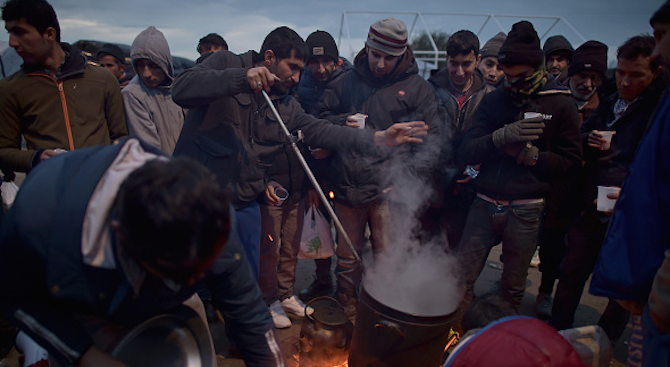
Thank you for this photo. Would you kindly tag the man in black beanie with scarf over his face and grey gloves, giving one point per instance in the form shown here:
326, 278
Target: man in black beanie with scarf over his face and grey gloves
520, 158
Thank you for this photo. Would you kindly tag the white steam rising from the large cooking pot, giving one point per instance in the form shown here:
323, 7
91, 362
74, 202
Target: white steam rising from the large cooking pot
412, 275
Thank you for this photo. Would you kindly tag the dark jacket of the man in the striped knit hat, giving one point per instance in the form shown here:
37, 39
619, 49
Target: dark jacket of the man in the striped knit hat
404, 96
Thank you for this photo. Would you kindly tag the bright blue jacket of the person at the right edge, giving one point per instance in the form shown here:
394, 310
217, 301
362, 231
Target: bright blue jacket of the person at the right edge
639, 234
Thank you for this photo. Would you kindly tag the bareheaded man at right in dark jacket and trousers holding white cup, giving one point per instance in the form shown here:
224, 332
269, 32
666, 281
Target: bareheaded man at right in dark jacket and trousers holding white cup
626, 114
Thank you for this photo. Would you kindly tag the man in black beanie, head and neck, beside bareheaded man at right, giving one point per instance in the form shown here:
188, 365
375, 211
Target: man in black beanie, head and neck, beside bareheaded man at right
585, 74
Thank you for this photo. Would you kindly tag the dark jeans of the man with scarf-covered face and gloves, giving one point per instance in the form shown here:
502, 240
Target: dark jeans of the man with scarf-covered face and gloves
517, 226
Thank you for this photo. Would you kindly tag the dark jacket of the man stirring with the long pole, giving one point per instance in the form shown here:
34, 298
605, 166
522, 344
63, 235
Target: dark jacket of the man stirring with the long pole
232, 130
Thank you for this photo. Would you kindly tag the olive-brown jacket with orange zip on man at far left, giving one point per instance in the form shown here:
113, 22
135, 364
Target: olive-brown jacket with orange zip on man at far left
80, 107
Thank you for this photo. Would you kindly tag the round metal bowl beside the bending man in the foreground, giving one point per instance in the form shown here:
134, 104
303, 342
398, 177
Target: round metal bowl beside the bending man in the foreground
175, 339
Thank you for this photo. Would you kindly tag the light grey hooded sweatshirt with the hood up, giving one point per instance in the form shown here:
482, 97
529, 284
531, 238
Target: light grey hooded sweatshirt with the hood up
152, 115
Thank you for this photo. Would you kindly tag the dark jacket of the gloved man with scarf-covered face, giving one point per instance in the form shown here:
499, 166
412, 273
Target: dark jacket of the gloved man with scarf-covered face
500, 177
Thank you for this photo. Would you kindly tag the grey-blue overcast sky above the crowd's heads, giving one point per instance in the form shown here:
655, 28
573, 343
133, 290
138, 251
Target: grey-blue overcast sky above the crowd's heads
245, 23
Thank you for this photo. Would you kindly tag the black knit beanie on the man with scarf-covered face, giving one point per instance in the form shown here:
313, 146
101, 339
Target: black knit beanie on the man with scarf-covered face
522, 46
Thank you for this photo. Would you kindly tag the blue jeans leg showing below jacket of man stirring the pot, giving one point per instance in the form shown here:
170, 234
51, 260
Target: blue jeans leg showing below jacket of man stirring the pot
249, 230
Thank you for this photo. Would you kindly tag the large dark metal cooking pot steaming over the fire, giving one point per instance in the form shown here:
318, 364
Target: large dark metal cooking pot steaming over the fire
386, 337
